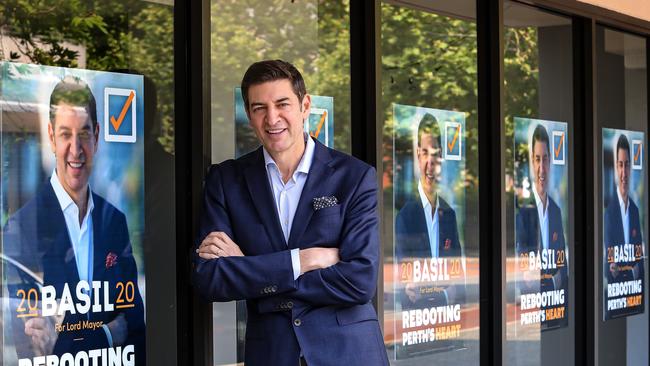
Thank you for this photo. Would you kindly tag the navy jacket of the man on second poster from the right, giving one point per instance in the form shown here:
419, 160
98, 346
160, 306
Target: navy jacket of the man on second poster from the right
529, 238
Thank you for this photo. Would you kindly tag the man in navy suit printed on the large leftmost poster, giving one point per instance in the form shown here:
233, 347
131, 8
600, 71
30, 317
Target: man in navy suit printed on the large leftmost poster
69, 235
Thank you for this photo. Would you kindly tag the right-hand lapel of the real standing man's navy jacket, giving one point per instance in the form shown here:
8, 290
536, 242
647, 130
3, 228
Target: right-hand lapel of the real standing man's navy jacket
315, 186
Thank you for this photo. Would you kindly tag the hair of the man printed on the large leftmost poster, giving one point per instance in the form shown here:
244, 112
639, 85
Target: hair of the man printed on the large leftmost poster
74, 92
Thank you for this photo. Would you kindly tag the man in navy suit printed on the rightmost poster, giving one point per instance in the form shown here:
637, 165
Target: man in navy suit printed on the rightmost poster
622, 223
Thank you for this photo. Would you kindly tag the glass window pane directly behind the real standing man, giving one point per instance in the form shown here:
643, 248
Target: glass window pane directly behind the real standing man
312, 35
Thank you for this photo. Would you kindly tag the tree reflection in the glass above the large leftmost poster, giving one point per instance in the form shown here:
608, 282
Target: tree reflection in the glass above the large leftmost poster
113, 35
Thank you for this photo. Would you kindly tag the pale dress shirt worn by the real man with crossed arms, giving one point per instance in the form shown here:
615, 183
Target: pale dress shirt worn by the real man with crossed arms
287, 195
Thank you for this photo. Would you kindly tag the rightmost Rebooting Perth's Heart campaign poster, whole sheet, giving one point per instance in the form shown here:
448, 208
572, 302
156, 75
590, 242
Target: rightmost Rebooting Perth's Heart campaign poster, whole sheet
624, 212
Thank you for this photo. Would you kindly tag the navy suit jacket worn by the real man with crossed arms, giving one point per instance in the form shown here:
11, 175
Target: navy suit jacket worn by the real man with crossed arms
326, 314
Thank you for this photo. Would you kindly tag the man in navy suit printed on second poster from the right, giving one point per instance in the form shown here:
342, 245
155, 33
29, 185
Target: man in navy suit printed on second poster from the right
539, 227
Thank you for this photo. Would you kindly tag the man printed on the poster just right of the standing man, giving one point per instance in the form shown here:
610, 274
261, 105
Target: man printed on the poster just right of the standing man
426, 226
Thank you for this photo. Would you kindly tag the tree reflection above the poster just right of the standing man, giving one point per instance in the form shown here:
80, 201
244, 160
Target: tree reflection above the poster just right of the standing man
429, 60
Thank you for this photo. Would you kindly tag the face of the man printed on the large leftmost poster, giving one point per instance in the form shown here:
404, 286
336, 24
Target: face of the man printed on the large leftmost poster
74, 144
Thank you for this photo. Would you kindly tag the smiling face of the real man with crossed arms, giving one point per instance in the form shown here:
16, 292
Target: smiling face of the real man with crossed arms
277, 116
